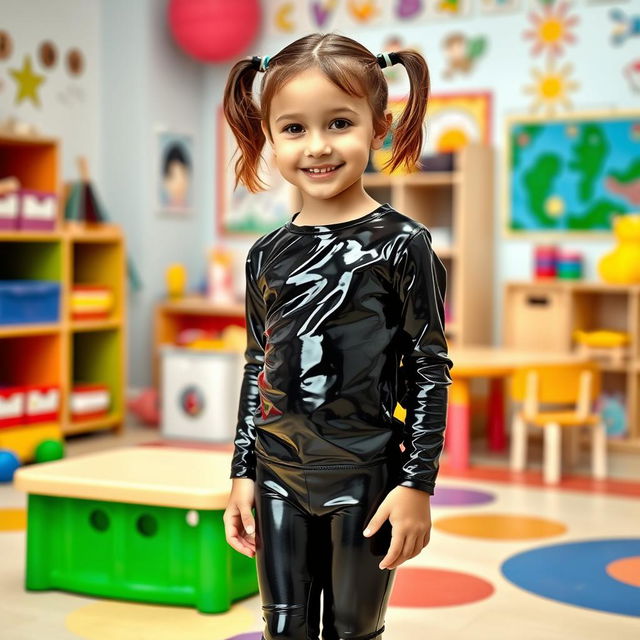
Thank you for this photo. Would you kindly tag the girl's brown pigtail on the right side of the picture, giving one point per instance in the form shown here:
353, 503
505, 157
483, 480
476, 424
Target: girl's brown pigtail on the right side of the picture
408, 134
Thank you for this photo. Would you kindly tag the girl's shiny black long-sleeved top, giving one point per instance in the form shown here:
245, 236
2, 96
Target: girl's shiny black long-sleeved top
332, 311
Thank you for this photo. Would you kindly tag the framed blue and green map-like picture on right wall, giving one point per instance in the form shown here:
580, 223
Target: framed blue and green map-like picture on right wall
570, 174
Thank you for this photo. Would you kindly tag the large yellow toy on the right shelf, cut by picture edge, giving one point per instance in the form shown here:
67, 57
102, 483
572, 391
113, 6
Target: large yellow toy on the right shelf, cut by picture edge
622, 265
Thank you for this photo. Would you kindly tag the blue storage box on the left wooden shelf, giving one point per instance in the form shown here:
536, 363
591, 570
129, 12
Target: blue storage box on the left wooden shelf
26, 301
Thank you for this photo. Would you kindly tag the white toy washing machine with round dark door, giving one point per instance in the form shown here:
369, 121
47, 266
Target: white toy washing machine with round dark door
200, 393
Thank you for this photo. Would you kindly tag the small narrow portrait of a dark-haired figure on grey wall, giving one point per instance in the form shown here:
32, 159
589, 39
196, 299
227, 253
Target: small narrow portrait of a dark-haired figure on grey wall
174, 168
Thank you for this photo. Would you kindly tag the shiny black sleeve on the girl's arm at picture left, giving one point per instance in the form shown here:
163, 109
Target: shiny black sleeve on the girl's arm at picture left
243, 462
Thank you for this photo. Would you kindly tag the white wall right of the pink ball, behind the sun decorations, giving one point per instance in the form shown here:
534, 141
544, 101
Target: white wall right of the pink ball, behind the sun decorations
504, 70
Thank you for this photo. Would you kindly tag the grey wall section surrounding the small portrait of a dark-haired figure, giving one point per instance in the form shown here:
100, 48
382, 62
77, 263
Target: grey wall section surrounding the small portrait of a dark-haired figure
147, 85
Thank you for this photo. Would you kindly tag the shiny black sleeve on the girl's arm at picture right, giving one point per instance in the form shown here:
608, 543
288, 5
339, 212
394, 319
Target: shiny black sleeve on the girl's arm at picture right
421, 283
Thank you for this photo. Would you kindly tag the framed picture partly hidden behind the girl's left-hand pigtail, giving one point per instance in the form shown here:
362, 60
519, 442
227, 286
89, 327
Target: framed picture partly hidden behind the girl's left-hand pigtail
239, 211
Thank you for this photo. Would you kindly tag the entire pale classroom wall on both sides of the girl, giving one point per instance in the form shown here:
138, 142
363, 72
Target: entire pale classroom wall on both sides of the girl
137, 81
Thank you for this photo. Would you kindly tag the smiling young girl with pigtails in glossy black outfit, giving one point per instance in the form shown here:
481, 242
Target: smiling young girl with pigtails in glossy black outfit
334, 302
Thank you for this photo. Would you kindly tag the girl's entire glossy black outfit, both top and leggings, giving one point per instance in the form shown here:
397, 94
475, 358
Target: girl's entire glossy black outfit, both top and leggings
332, 311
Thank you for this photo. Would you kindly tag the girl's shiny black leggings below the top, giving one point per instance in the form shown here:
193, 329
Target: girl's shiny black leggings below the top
309, 541
